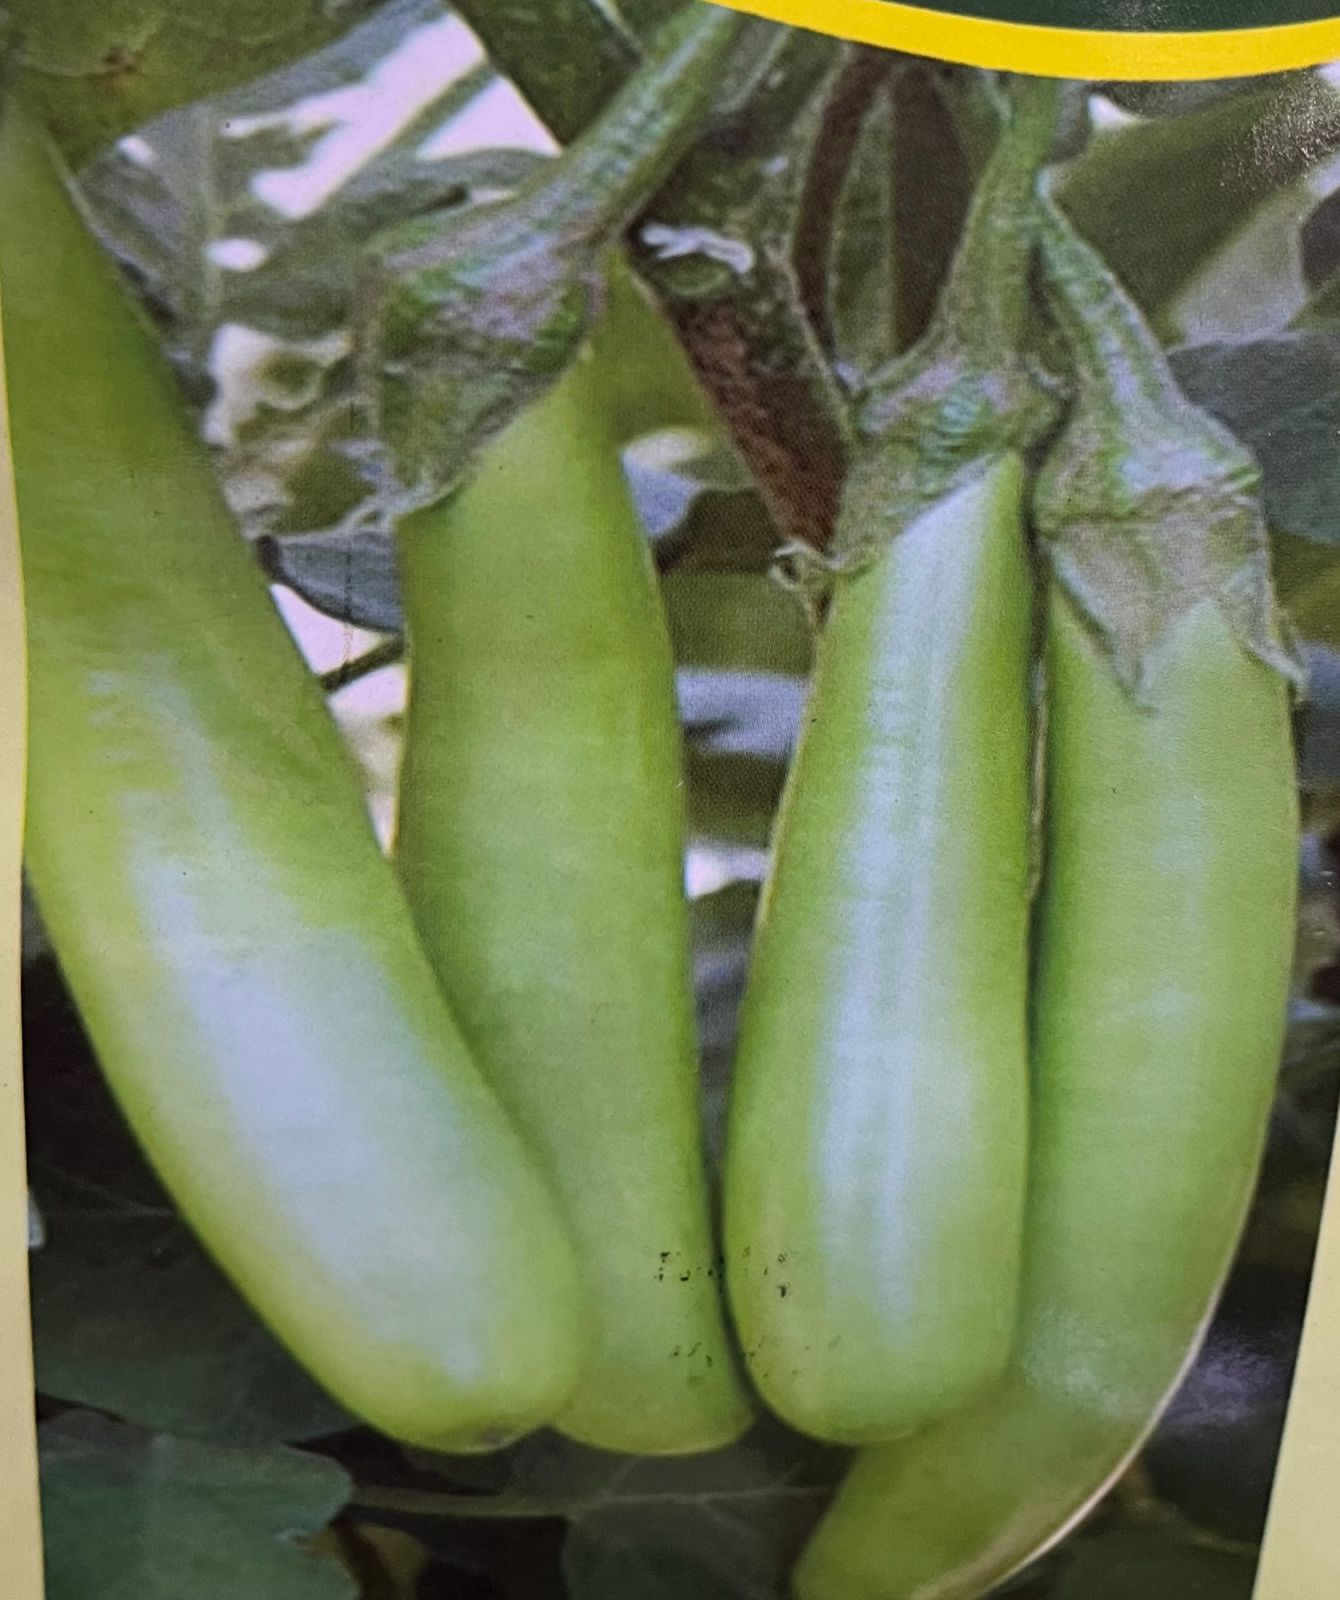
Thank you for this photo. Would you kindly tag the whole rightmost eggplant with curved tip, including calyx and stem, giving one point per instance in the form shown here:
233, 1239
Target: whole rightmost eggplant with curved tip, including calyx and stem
1167, 934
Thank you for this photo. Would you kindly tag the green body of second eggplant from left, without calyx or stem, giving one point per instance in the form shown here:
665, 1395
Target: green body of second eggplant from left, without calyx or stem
541, 846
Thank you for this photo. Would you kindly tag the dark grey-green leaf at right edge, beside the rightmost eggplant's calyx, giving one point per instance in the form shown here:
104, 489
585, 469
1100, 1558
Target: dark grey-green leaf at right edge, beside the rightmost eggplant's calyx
1282, 398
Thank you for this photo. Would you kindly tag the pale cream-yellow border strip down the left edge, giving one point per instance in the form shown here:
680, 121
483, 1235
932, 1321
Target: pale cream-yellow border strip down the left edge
20, 1522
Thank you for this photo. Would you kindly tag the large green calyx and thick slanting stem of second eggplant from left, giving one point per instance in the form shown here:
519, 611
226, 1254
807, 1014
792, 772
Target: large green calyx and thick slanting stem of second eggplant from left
468, 318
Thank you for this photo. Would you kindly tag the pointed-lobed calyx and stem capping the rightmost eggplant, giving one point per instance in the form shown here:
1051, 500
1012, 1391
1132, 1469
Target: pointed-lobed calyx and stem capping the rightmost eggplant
1146, 505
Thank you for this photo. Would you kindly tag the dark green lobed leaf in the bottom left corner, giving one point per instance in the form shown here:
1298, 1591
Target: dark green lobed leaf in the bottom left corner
135, 1516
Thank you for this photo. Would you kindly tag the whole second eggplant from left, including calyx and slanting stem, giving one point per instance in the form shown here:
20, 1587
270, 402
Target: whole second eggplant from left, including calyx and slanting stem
541, 826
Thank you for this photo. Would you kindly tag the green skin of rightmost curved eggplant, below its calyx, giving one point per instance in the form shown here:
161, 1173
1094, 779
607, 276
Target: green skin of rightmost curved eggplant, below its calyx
1167, 940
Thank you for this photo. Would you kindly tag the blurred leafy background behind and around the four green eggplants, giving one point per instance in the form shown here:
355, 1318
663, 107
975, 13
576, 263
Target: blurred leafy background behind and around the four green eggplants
181, 1450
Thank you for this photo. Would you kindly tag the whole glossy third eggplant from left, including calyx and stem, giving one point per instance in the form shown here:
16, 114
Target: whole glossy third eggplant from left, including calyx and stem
879, 1130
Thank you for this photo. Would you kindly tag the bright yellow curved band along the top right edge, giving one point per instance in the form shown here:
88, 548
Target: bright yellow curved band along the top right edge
1061, 52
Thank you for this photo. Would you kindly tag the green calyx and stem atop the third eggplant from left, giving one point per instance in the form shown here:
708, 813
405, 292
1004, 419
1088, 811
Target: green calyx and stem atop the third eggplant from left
965, 393
